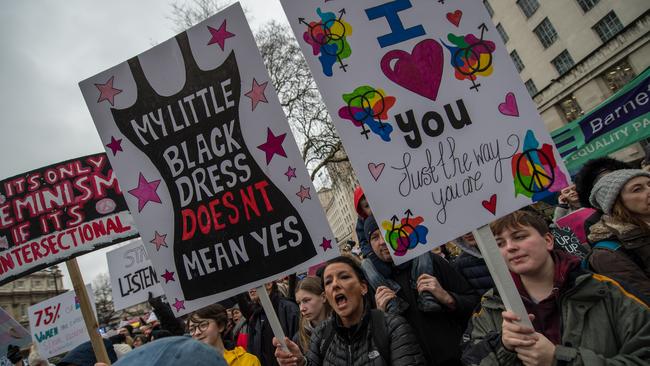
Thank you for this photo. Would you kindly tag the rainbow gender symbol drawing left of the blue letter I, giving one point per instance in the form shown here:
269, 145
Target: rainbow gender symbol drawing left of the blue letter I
328, 39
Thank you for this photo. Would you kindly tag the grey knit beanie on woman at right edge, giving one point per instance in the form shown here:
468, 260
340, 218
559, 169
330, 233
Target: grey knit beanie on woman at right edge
605, 191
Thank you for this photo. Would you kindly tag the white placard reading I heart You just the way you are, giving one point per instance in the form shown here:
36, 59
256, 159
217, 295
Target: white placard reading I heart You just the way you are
438, 126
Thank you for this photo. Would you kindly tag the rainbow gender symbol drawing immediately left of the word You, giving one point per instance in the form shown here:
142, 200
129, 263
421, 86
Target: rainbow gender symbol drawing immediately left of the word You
368, 107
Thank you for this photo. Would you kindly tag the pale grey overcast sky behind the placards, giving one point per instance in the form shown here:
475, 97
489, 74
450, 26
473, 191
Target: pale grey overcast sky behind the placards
49, 46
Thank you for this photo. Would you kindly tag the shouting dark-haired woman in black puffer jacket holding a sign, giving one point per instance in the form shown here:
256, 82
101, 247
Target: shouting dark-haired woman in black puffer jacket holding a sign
350, 336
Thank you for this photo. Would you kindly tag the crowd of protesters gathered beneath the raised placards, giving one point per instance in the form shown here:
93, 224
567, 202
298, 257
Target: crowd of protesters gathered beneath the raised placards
441, 308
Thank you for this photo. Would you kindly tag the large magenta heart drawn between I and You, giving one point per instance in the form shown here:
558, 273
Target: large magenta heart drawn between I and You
419, 71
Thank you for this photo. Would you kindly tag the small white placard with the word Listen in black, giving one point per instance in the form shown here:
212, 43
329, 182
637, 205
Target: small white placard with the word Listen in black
132, 275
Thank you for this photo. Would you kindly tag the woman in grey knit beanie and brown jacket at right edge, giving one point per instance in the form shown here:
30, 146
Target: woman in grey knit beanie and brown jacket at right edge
622, 236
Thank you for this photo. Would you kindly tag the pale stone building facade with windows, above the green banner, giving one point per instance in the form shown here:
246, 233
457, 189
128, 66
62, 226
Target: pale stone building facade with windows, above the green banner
574, 54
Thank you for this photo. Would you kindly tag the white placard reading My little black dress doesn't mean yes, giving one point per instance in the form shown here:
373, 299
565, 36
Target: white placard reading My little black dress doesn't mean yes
215, 181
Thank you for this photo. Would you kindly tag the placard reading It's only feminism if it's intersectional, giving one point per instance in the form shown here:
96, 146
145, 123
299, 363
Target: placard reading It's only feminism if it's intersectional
59, 212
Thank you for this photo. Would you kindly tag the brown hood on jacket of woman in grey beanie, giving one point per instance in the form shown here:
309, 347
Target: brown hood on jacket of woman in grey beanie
609, 228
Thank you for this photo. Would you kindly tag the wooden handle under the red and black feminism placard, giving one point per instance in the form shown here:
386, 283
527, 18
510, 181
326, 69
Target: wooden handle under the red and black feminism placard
87, 311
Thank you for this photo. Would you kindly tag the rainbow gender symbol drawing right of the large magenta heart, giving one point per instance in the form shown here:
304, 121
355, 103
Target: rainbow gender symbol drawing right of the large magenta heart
471, 56
